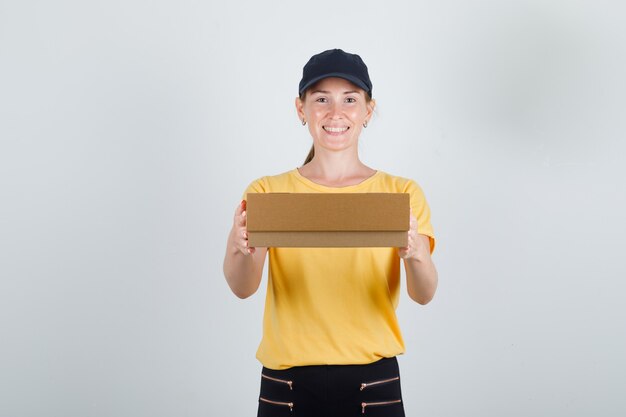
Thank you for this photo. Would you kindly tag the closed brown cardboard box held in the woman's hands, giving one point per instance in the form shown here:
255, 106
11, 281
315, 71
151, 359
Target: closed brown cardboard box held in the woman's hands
327, 220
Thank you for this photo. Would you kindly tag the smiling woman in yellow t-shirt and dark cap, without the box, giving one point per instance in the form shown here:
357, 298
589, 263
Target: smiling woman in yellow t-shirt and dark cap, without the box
330, 332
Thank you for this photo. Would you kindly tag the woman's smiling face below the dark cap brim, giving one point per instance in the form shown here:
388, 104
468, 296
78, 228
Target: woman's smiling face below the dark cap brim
335, 110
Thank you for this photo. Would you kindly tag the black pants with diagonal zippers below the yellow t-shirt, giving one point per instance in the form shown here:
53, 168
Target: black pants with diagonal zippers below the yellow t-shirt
332, 391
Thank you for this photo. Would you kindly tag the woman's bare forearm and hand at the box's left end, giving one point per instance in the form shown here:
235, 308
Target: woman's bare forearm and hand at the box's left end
243, 266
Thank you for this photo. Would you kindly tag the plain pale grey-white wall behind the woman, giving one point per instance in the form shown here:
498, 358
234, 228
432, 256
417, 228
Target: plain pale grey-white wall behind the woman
129, 130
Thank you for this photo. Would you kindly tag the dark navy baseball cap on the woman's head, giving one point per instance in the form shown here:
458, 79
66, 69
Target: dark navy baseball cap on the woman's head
335, 63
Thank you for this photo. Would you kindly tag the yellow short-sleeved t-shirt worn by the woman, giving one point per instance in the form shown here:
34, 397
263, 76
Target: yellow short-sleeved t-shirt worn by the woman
334, 305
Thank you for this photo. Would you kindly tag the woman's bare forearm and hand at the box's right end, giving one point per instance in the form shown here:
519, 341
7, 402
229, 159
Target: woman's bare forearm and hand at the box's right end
421, 274
